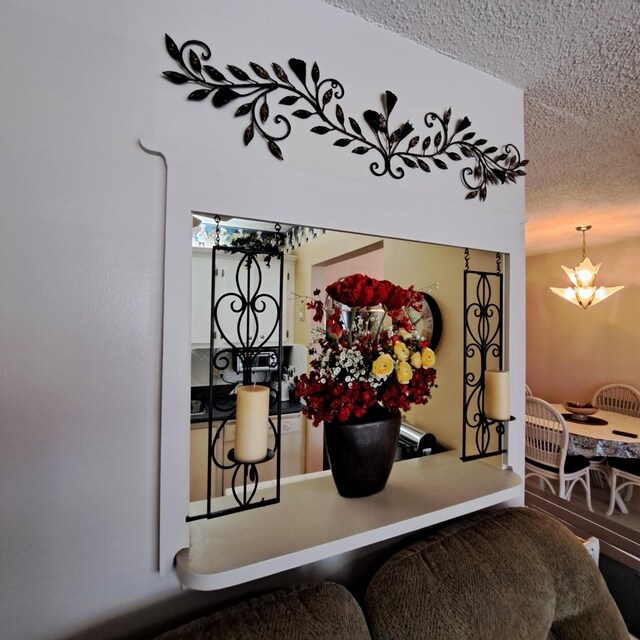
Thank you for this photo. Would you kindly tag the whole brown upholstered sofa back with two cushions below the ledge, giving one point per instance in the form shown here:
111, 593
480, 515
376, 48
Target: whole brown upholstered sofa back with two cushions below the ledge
510, 574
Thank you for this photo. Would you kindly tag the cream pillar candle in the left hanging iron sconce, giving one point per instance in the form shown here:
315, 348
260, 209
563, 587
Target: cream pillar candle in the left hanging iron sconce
252, 423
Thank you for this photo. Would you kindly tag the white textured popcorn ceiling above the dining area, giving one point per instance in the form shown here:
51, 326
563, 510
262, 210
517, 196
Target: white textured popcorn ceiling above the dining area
578, 62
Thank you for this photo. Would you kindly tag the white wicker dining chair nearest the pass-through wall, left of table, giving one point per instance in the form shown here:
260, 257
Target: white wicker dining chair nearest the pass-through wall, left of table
546, 445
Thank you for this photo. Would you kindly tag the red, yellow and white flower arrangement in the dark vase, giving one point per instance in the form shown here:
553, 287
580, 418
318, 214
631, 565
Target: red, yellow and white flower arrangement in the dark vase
369, 355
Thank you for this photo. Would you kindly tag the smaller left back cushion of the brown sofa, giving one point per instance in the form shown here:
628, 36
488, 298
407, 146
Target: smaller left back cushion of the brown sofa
322, 611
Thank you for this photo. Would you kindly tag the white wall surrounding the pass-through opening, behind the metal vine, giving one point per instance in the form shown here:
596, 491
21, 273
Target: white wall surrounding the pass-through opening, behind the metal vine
82, 249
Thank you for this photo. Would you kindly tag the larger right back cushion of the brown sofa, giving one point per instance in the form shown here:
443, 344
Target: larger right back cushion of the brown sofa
509, 574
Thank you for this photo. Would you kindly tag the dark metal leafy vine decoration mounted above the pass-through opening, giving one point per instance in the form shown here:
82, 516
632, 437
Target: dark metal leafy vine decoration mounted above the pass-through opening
395, 147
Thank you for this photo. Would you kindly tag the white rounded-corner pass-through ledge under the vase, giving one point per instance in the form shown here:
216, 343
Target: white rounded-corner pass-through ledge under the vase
312, 522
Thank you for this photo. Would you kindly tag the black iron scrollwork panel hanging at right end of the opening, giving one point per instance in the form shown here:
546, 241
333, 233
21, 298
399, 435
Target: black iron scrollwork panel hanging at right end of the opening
483, 336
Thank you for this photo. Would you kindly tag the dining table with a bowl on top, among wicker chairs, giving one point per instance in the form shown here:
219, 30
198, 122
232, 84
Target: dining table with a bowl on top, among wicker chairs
603, 434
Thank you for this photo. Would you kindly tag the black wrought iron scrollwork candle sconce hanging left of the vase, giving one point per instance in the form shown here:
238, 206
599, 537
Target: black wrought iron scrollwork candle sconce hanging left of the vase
257, 319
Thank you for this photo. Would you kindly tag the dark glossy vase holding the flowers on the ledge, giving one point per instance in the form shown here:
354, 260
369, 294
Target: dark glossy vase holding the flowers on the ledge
361, 453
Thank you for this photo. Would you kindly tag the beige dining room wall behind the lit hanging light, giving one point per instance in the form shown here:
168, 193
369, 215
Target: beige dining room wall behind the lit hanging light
570, 351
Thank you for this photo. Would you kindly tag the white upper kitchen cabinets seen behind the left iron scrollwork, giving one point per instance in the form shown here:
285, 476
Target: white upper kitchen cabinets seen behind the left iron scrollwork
225, 281
